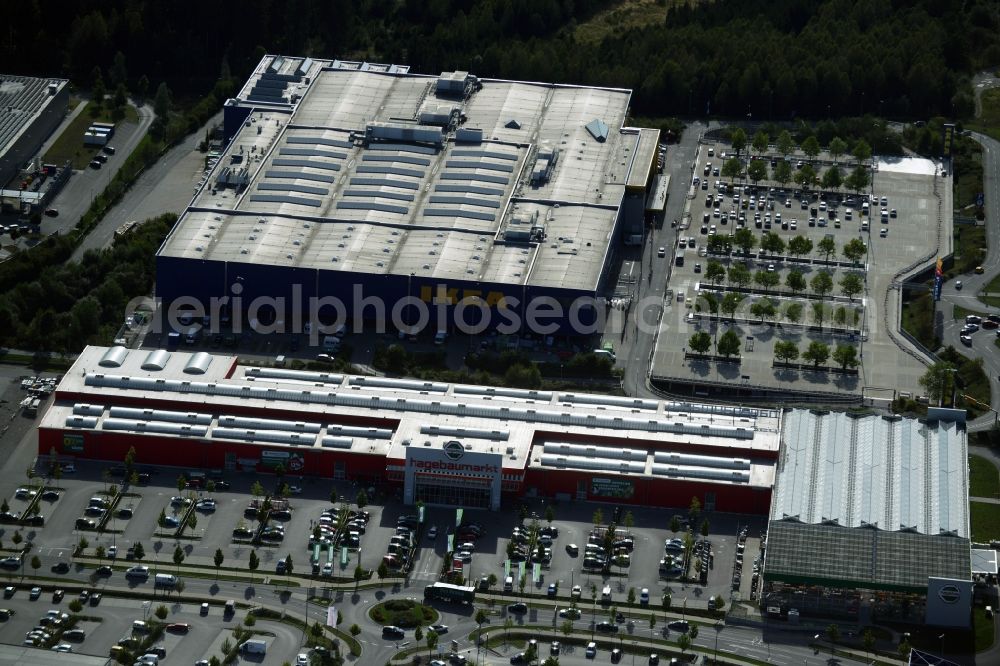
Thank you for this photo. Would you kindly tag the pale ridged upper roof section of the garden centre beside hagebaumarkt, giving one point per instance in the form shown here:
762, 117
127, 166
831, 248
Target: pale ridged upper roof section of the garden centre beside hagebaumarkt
891, 473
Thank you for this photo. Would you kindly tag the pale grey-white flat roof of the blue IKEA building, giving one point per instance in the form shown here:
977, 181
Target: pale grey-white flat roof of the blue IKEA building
318, 195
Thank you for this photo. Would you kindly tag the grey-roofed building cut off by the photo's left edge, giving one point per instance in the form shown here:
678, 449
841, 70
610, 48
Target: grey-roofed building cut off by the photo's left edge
30, 110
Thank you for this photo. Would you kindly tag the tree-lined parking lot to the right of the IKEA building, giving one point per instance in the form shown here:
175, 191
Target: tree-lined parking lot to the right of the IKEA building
802, 310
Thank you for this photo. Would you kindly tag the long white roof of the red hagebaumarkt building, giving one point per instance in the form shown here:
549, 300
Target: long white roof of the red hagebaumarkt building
207, 397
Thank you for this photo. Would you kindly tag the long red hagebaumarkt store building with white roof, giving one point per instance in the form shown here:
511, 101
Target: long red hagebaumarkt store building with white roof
454, 444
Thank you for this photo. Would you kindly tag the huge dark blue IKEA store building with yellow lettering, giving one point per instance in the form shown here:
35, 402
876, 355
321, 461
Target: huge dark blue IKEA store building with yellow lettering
357, 181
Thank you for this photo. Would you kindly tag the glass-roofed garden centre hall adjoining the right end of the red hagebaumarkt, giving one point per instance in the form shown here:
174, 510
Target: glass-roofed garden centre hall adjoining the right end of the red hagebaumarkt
870, 520
